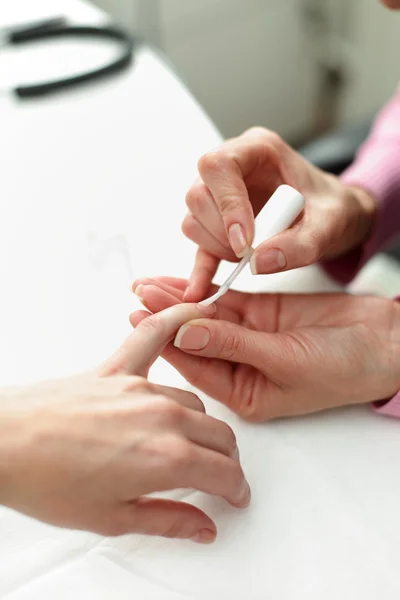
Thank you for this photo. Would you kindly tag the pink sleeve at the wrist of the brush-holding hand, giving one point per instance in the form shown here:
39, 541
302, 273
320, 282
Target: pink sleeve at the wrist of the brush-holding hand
377, 170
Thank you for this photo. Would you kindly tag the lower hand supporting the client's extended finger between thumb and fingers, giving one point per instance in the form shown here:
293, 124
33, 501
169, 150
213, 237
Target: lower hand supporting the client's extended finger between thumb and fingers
269, 356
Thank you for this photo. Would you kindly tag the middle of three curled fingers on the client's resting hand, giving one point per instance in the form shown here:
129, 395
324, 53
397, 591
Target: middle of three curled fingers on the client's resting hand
210, 433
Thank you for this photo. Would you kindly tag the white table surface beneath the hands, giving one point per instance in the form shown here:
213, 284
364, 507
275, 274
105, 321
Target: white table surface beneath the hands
92, 188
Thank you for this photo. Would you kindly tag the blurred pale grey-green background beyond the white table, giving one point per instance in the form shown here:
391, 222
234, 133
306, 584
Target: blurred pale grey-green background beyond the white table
299, 67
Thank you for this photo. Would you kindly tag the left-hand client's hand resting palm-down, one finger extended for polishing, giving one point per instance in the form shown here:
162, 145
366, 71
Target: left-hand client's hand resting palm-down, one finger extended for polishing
84, 452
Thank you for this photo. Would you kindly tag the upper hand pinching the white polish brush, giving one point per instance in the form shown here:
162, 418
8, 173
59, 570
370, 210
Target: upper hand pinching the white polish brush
236, 181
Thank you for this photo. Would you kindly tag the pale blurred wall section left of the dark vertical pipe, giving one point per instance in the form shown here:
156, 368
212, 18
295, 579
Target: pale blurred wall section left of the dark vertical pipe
247, 62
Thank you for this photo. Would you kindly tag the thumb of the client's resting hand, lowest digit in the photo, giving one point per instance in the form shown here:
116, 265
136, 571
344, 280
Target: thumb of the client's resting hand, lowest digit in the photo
166, 518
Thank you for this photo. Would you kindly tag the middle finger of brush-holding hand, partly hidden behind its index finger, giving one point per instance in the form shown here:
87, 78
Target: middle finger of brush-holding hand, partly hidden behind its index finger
201, 204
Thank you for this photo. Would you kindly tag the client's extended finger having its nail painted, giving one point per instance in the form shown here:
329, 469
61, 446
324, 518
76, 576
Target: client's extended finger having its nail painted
150, 337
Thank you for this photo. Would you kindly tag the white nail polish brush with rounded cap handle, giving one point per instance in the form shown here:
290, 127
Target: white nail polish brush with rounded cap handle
281, 210
